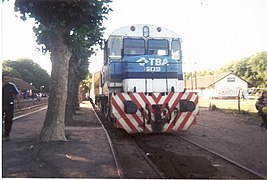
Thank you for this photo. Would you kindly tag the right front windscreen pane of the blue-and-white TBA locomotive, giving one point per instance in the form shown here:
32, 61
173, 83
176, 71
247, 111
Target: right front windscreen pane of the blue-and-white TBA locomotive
158, 47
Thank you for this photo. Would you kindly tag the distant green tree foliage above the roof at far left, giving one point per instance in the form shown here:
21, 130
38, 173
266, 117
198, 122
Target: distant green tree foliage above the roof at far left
29, 71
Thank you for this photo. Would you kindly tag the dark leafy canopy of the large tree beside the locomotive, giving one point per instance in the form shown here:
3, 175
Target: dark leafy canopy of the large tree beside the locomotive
80, 21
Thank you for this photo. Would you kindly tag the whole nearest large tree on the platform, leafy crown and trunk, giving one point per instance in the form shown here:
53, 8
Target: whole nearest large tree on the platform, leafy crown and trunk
60, 26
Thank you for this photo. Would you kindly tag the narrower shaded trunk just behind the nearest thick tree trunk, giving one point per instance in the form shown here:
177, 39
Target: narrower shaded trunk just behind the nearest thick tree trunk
70, 105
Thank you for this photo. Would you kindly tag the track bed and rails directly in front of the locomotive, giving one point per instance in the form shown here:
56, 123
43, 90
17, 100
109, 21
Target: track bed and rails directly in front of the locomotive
178, 157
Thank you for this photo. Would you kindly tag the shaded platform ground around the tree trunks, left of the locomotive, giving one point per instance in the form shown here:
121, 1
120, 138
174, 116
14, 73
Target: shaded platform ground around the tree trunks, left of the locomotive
86, 154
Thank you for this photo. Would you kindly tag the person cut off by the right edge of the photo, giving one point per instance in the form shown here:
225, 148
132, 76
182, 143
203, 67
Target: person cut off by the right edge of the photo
260, 104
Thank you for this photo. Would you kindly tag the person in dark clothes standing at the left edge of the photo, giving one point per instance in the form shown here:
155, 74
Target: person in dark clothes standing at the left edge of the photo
9, 93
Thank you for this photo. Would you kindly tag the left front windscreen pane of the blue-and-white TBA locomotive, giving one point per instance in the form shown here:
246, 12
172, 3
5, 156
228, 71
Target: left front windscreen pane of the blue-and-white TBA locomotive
133, 46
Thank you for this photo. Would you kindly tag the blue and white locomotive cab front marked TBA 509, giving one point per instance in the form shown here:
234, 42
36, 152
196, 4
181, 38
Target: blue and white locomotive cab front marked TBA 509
140, 63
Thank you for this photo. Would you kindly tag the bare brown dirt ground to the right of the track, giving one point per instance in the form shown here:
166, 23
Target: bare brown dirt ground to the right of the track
236, 136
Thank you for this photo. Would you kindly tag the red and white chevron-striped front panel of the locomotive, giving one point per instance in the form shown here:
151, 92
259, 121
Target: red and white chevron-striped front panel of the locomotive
133, 123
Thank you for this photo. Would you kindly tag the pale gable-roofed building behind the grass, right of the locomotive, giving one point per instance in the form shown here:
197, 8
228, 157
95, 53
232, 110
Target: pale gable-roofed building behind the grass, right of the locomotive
226, 85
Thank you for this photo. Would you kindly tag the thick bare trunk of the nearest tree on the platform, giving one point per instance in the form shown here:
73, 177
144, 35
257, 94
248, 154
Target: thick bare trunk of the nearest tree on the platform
54, 125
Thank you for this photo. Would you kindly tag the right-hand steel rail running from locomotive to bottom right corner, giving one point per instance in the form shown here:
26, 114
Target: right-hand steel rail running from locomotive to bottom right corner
223, 157
